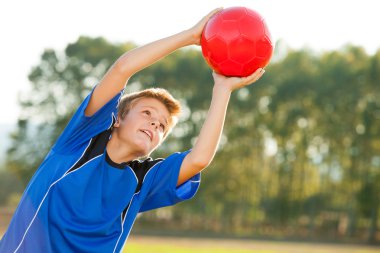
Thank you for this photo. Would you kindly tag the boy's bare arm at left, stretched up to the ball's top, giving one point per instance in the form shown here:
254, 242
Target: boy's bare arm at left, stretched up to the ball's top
139, 58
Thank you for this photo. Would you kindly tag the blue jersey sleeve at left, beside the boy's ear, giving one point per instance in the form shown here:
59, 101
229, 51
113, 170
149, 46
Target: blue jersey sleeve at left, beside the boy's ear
82, 128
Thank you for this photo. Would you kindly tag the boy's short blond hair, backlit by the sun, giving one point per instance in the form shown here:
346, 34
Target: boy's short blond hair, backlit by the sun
174, 107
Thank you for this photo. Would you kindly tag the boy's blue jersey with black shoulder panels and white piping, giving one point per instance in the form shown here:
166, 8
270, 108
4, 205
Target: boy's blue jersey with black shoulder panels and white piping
79, 200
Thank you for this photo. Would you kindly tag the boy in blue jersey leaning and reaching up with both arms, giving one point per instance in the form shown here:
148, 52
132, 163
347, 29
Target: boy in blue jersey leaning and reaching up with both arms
87, 192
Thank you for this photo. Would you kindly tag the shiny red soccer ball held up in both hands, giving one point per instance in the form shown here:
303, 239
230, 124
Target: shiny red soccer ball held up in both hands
236, 42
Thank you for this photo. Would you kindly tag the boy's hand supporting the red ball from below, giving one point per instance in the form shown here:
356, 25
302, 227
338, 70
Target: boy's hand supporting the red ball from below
233, 83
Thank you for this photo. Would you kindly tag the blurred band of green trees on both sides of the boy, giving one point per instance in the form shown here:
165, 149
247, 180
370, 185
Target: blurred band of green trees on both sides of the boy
300, 149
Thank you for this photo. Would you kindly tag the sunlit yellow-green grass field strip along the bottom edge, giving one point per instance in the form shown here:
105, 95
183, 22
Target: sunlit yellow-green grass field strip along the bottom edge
146, 244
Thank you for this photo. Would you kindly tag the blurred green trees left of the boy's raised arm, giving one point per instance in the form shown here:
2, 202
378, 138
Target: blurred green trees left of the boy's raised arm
59, 83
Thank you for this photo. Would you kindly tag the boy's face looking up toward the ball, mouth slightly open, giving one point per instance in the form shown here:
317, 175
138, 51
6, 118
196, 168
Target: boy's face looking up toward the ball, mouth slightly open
143, 128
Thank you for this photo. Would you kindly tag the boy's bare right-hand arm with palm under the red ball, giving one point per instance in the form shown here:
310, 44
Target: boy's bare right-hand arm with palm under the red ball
207, 142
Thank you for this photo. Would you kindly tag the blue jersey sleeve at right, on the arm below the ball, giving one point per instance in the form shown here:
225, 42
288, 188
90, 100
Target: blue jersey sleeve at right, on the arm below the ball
163, 189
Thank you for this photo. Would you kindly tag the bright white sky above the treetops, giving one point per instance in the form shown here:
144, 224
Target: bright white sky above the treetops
27, 27
